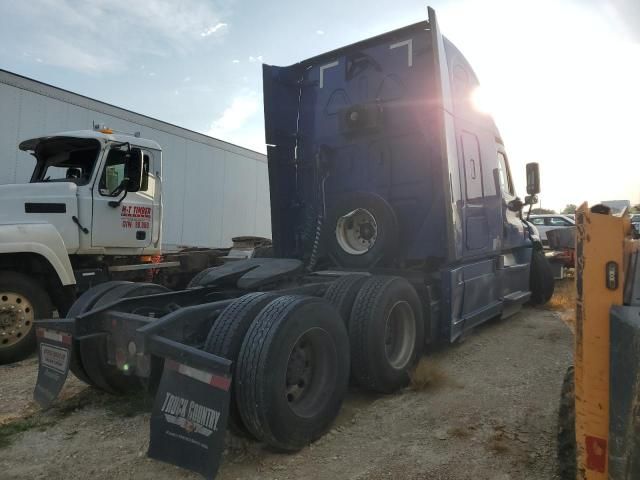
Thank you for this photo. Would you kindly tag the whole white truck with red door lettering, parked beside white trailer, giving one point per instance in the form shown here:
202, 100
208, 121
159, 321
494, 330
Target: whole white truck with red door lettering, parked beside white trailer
91, 212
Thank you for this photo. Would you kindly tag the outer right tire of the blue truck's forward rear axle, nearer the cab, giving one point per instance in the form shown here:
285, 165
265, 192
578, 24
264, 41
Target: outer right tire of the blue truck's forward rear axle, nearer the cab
386, 331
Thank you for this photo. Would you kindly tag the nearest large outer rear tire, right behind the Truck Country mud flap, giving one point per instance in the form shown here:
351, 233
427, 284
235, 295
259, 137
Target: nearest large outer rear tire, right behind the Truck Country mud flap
293, 371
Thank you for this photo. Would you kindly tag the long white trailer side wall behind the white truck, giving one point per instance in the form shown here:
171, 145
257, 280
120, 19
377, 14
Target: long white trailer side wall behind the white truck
212, 190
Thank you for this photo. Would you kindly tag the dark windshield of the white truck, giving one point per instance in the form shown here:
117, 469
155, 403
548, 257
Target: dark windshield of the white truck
65, 160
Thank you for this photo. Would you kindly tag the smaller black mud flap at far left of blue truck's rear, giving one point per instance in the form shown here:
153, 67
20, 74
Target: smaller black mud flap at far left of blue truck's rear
54, 353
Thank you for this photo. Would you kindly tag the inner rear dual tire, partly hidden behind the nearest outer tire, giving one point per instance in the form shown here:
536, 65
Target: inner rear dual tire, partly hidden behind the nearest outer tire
225, 340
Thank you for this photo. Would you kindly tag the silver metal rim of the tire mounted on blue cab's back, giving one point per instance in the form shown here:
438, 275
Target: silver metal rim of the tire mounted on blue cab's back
357, 231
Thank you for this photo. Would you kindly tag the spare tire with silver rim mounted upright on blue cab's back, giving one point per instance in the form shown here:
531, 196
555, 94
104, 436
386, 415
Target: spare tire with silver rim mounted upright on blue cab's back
361, 231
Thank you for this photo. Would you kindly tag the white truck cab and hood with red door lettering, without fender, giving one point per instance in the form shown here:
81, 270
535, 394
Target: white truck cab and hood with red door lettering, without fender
78, 185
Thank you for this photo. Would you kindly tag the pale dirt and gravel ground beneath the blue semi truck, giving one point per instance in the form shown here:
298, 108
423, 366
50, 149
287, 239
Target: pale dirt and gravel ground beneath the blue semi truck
484, 409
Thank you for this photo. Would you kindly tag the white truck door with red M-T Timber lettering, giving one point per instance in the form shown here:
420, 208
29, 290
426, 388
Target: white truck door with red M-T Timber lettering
130, 224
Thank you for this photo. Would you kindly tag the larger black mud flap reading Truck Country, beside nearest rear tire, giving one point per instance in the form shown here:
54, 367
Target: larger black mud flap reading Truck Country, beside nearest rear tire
189, 418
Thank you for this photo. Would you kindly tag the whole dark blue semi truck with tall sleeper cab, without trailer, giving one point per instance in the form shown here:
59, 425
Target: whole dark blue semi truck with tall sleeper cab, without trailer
396, 226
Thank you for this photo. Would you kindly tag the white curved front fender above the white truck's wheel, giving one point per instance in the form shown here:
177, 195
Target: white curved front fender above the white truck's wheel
42, 239
